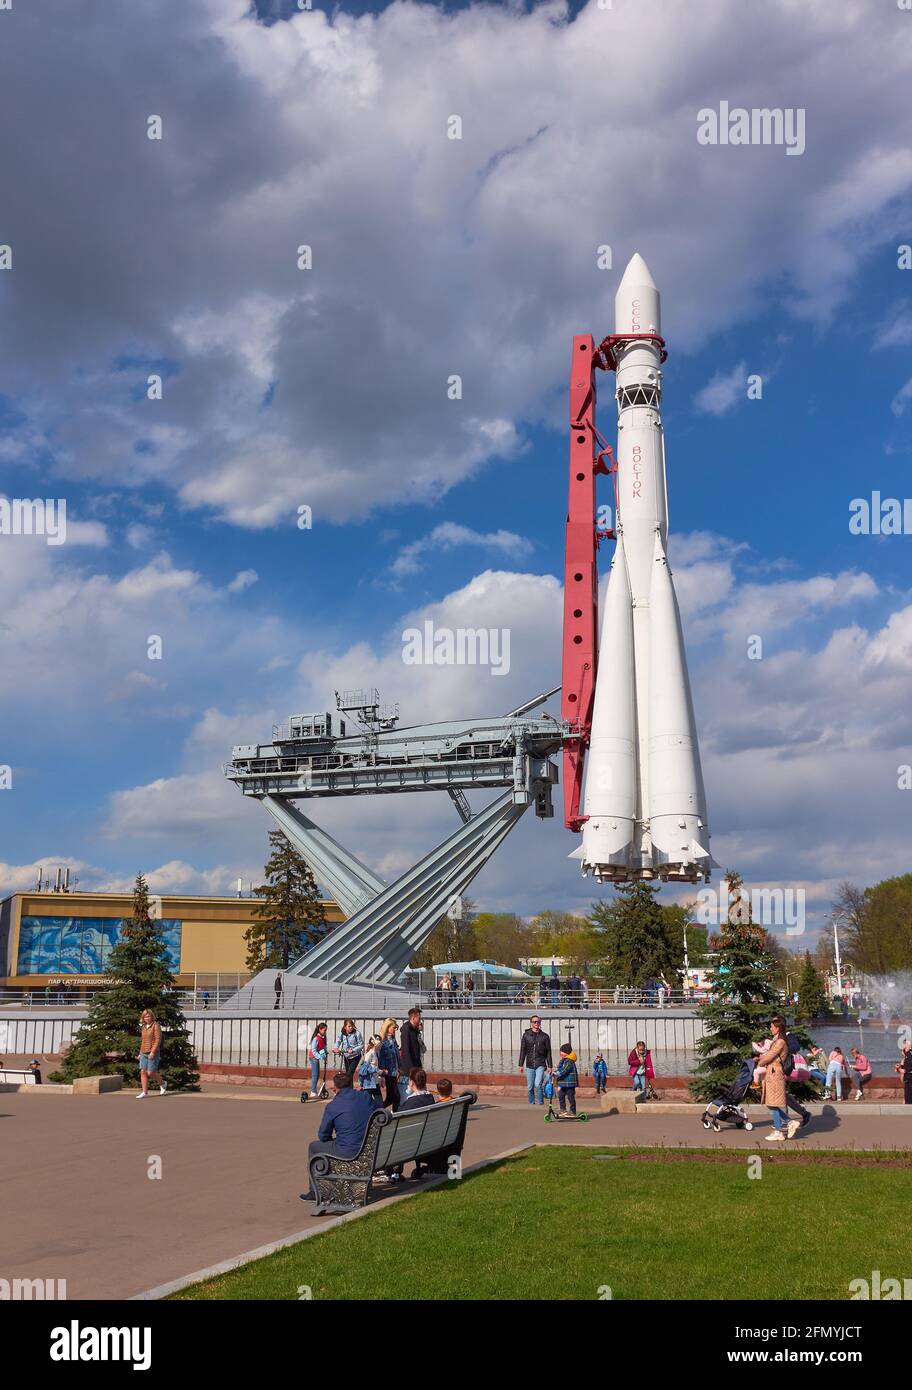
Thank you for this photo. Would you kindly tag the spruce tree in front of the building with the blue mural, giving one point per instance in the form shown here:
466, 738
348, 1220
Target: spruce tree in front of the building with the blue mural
108, 1043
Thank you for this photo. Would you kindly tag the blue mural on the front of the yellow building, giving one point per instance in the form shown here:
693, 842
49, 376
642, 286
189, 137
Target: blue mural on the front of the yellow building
83, 946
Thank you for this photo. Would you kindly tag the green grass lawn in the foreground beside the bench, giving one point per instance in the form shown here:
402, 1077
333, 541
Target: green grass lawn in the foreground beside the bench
562, 1223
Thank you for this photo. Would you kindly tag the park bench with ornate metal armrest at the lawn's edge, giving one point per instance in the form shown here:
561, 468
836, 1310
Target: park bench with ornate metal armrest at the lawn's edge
430, 1135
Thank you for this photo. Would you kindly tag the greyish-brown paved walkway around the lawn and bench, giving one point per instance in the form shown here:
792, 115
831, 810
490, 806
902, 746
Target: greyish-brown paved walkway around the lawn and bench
80, 1203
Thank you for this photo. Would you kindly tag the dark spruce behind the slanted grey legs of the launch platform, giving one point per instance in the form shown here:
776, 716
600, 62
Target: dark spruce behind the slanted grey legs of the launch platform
291, 914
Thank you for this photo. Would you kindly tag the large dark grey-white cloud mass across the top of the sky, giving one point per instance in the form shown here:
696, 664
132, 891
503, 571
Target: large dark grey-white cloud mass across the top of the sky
329, 387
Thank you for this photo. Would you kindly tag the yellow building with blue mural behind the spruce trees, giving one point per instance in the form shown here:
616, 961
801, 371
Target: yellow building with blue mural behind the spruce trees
66, 939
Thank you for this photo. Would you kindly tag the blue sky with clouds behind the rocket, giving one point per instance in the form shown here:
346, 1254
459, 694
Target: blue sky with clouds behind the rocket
329, 389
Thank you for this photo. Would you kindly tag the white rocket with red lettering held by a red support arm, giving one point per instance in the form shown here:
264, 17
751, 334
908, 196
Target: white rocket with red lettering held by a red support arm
644, 789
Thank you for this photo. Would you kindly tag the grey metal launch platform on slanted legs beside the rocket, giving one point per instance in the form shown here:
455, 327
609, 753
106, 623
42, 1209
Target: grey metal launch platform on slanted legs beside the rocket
359, 751
